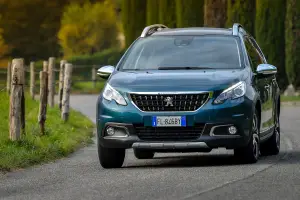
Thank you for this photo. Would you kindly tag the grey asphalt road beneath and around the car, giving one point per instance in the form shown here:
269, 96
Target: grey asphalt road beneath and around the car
168, 176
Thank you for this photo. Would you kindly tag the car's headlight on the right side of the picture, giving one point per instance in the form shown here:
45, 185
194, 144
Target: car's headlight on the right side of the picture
233, 92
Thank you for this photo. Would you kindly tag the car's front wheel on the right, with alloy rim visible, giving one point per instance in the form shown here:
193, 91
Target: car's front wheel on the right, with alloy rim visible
250, 153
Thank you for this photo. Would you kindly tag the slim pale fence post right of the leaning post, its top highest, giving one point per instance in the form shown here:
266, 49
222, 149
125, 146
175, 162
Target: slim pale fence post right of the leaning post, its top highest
51, 81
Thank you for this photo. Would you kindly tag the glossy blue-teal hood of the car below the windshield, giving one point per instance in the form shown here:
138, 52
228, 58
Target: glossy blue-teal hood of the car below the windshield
175, 80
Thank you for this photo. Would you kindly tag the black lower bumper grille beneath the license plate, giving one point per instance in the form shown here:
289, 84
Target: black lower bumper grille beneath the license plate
169, 133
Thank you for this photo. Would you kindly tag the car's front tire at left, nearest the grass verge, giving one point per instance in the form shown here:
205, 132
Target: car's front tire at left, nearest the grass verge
111, 157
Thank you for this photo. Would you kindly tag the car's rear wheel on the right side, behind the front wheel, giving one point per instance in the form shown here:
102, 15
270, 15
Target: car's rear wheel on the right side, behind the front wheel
272, 146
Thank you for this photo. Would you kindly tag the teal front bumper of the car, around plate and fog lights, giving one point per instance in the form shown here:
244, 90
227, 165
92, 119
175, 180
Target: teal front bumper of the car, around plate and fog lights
236, 112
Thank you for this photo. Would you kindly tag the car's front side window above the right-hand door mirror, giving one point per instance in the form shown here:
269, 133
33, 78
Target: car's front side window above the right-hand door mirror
254, 57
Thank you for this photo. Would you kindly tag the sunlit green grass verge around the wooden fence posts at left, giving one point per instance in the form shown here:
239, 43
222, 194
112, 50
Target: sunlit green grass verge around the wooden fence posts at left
60, 139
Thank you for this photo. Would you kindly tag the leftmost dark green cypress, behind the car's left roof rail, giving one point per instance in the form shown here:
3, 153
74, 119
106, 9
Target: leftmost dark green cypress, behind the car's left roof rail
133, 19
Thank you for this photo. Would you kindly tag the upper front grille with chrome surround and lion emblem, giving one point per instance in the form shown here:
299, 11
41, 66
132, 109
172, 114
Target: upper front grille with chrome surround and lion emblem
169, 102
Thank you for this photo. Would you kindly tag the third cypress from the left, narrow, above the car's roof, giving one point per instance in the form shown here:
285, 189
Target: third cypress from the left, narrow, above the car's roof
167, 13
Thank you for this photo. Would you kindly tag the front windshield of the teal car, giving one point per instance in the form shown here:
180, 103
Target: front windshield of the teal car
183, 52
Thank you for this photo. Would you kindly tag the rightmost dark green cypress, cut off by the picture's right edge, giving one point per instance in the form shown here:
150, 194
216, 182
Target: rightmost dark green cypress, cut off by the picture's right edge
292, 38
